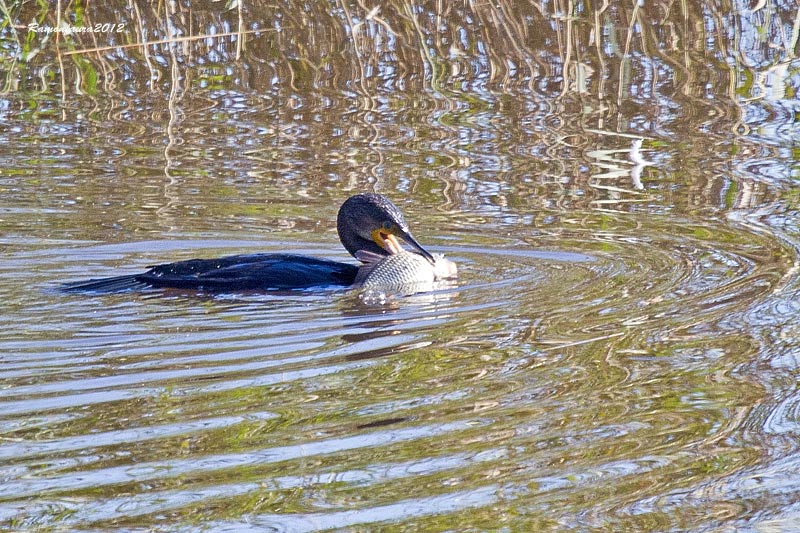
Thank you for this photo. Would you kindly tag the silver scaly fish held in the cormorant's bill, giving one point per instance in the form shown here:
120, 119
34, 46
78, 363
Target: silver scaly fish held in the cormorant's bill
404, 271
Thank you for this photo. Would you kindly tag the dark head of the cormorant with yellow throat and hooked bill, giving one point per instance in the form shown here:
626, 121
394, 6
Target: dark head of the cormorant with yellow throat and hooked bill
371, 222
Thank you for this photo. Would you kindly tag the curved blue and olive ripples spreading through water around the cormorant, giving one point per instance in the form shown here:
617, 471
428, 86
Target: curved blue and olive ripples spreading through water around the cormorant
564, 363
